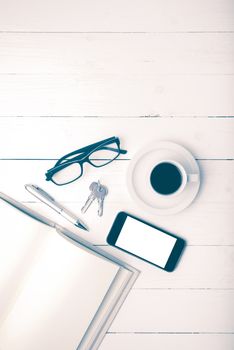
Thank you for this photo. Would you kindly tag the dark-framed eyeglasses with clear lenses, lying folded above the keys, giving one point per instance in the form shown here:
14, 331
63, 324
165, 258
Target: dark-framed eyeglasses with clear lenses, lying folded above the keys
70, 167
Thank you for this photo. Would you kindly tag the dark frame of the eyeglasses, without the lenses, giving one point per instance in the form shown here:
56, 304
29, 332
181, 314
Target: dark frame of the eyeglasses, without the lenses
84, 157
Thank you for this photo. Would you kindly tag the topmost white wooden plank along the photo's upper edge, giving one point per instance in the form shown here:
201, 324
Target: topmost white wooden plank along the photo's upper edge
110, 15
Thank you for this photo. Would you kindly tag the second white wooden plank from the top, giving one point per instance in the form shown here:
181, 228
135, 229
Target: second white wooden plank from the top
95, 56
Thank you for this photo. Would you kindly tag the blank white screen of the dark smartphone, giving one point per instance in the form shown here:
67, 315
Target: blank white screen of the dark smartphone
145, 241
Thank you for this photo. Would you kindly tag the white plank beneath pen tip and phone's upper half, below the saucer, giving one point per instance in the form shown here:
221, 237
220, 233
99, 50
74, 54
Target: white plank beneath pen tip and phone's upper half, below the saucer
213, 229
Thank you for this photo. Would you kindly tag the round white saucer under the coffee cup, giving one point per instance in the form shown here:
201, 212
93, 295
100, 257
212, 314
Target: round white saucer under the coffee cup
138, 178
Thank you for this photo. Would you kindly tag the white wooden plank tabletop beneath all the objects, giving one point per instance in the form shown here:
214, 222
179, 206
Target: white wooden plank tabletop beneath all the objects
75, 72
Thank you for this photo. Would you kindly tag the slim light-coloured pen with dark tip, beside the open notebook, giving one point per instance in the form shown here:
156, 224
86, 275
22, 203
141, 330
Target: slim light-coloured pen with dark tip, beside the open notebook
52, 203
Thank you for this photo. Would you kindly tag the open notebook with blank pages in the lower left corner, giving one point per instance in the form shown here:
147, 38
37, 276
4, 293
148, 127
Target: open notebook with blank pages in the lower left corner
56, 290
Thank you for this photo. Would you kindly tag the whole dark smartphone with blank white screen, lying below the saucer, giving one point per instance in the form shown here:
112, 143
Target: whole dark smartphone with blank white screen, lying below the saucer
145, 241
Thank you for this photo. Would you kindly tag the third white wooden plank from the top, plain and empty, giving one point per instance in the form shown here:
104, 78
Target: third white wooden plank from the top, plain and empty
73, 95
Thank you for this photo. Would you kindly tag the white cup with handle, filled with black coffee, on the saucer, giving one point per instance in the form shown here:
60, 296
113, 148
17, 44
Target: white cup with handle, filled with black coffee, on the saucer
169, 177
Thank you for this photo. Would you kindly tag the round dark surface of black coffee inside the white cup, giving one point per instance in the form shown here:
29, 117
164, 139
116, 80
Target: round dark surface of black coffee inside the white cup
166, 178
